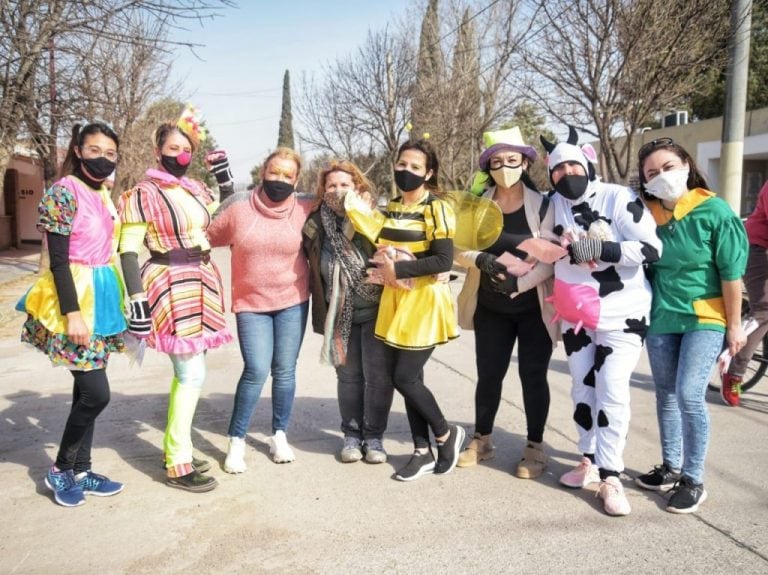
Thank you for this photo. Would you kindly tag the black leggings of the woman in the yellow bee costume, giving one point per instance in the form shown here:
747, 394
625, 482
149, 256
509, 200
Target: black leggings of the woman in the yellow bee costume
420, 405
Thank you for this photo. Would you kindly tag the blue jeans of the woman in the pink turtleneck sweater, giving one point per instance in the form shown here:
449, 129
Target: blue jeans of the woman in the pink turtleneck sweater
268, 342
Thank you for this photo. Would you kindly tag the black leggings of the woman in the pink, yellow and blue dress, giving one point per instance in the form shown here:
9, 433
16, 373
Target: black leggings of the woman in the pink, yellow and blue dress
90, 395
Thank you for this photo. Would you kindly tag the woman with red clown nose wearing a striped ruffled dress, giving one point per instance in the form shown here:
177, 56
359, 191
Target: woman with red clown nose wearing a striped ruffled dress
176, 297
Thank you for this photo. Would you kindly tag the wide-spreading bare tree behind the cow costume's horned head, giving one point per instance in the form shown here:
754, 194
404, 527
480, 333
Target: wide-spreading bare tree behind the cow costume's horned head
607, 66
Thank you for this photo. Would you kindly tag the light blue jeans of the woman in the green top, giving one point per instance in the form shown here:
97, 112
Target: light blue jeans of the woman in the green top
681, 365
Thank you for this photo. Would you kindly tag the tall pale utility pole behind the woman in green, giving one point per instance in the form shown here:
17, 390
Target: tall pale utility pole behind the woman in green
732, 150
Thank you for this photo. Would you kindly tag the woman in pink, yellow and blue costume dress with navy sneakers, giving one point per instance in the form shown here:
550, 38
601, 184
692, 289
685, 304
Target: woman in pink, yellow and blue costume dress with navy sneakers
74, 311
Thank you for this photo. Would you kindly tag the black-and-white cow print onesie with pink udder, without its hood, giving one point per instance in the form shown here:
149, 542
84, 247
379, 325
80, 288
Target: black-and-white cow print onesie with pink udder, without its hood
604, 306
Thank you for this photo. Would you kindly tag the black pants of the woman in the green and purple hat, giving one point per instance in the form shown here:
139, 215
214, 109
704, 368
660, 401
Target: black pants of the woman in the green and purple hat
495, 336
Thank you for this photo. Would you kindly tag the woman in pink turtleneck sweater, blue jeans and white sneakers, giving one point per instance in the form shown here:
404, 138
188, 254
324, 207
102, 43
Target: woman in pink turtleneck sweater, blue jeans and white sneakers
270, 294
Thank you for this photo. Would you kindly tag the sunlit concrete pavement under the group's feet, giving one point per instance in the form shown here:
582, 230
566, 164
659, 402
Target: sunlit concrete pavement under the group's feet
317, 515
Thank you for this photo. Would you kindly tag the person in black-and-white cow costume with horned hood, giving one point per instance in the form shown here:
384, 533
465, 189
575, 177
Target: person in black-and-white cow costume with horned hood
603, 299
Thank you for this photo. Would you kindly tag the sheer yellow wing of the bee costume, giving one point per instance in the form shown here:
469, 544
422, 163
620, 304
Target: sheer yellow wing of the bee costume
479, 221
